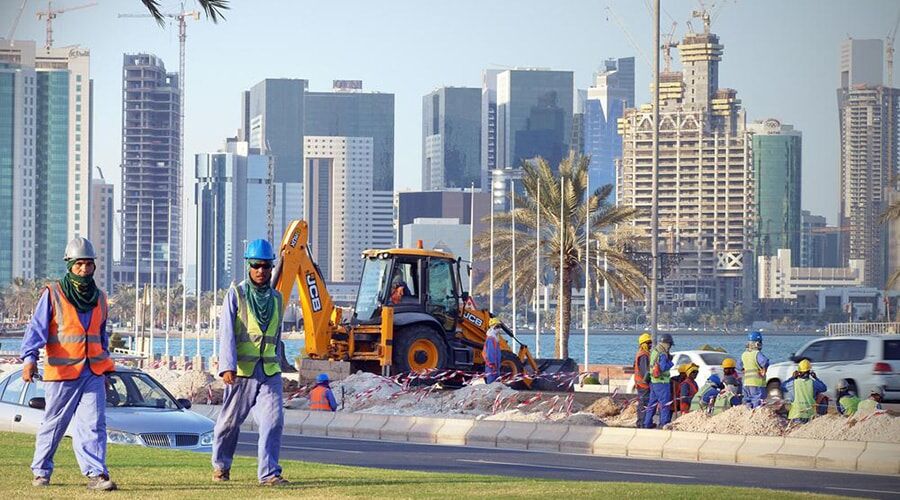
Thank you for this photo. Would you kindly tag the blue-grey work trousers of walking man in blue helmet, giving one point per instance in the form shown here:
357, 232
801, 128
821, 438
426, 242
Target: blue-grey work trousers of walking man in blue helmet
262, 395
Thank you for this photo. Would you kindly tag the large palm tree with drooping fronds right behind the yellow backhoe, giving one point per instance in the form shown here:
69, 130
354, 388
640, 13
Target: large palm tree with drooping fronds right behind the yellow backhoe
623, 276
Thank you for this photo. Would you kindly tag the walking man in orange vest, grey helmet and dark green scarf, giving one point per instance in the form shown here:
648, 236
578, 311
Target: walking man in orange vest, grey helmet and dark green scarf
70, 322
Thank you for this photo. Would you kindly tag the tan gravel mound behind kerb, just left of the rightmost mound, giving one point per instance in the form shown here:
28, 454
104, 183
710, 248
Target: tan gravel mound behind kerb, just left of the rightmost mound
737, 420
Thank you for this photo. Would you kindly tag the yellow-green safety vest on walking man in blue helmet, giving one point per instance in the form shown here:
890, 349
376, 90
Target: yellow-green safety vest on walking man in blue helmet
254, 345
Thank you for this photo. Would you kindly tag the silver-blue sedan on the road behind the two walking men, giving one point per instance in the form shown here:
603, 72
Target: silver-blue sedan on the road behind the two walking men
139, 411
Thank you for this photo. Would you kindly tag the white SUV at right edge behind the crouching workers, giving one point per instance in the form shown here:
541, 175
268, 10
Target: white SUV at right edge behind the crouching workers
864, 361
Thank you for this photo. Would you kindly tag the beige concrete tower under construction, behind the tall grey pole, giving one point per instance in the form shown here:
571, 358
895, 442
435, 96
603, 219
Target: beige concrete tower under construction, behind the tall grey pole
704, 193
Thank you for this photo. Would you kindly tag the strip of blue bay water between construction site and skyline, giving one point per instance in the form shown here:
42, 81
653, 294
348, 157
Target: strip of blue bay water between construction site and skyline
603, 348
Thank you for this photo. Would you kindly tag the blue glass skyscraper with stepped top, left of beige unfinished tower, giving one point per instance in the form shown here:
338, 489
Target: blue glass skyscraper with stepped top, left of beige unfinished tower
611, 93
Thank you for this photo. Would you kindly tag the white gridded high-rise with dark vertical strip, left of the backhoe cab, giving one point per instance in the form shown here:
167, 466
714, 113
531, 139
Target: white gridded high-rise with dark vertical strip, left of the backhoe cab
337, 185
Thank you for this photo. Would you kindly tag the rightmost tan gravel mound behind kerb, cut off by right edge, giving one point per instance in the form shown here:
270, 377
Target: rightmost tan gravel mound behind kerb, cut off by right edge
878, 426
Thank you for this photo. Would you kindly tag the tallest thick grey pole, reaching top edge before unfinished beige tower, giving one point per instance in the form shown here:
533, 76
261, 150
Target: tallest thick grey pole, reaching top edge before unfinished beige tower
654, 214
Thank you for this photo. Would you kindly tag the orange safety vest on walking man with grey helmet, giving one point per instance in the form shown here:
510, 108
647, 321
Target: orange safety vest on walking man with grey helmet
69, 344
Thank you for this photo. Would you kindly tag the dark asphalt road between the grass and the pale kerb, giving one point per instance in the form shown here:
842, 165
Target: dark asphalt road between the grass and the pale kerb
458, 459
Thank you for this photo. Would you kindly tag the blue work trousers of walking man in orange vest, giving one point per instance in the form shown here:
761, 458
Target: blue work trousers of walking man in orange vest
83, 399
